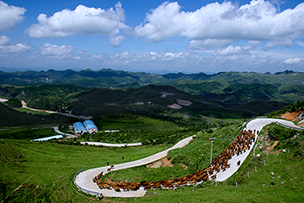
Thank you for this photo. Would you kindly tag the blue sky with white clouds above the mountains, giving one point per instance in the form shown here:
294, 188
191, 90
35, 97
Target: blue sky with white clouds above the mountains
152, 36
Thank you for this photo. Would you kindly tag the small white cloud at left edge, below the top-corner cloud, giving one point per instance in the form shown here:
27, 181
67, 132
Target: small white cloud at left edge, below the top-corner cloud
7, 47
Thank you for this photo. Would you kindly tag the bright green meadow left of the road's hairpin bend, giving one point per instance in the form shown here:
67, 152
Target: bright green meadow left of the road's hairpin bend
52, 165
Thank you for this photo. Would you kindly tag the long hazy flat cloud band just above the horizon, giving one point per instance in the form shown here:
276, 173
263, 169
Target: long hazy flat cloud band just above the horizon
188, 61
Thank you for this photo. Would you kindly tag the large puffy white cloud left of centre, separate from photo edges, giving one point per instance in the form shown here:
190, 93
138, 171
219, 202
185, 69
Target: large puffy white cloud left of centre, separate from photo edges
81, 21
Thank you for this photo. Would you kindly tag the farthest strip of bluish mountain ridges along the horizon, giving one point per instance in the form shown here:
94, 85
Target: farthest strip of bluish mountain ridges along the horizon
109, 77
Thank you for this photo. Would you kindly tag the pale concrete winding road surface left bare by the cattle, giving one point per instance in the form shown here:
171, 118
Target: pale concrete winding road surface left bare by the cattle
84, 181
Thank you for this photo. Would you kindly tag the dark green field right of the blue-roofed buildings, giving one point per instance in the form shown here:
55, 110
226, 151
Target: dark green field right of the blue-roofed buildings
133, 128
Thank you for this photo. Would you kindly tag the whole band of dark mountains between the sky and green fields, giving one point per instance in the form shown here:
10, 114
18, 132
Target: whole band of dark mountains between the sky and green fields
97, 93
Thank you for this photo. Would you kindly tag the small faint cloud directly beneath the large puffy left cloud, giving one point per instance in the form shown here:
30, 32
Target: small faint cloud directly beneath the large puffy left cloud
56, 51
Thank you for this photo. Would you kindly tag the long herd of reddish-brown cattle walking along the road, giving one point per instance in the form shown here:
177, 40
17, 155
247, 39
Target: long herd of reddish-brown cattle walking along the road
241, 143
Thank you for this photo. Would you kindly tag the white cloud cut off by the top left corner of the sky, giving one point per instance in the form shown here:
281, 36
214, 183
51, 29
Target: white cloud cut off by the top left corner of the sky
10, 16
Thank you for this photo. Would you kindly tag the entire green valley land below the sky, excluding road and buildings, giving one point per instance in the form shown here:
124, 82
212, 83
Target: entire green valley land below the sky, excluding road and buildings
157, 112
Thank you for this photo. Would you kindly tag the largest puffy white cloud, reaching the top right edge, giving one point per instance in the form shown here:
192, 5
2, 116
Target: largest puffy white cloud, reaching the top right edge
259, 20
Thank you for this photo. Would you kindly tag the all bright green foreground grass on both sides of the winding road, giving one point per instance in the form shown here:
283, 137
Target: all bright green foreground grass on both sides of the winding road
43, 172
